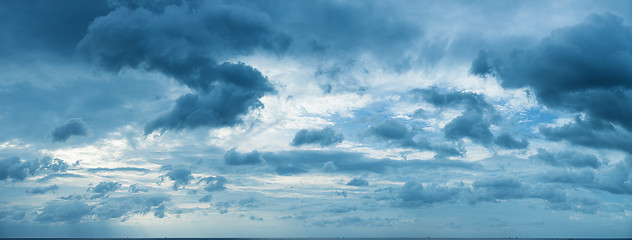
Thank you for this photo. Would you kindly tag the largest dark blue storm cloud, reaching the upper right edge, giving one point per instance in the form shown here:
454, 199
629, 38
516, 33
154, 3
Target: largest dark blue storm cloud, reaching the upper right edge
582, 68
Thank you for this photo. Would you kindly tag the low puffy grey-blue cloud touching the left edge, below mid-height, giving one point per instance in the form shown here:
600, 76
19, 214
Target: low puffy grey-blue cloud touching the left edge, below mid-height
17, 169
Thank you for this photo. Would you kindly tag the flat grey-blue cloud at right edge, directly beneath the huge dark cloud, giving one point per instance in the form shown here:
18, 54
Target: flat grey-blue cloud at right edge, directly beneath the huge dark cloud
590, 132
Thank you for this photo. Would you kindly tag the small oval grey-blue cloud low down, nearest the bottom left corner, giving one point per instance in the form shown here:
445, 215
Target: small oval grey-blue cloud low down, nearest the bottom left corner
63, 211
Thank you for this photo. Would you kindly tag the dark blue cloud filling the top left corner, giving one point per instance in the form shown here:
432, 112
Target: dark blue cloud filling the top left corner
56, 30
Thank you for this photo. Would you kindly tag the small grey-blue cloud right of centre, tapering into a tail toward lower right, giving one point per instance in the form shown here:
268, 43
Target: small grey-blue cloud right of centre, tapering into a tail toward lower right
395, 132
